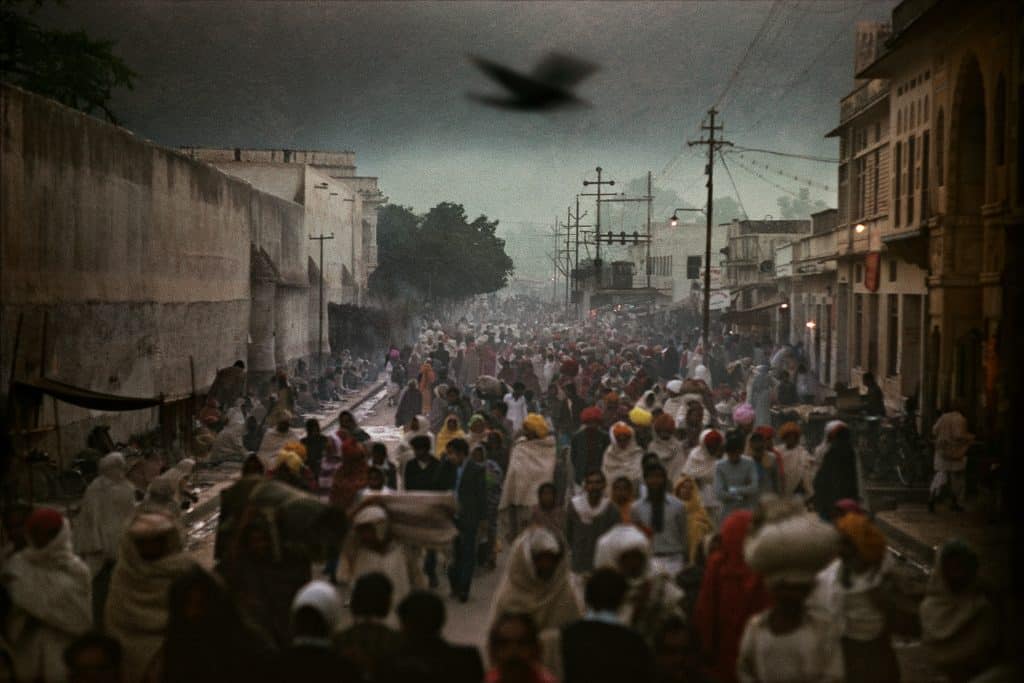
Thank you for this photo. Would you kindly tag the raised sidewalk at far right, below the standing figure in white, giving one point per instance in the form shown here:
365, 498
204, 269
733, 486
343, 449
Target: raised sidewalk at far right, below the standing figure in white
912, 529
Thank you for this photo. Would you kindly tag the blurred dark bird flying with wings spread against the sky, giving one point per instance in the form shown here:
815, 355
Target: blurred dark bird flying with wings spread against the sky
549, 87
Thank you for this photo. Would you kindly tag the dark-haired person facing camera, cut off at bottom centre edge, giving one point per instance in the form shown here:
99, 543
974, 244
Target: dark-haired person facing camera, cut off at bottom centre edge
515, 650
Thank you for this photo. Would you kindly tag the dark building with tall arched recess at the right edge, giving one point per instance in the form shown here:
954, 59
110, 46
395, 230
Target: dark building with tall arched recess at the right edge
955, 73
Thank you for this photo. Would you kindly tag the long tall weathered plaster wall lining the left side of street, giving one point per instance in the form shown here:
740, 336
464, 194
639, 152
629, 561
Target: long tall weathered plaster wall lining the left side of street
138, 258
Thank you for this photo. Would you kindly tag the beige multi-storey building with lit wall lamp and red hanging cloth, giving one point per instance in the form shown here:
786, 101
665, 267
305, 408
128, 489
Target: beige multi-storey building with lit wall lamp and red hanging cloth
881, 279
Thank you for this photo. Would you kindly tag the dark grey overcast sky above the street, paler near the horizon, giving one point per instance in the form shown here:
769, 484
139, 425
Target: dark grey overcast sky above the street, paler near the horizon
390, 82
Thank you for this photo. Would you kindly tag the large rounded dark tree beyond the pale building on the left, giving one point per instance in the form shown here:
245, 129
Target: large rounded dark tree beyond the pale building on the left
440, 255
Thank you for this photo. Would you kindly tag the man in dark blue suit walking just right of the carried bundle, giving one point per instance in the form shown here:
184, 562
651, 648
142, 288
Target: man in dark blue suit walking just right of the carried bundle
467, 479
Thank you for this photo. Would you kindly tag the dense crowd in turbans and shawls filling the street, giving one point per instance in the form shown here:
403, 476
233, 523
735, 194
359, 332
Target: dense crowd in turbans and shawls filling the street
648, 521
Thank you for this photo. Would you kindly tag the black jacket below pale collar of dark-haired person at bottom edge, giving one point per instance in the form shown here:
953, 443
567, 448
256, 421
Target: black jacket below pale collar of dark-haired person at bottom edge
596, 652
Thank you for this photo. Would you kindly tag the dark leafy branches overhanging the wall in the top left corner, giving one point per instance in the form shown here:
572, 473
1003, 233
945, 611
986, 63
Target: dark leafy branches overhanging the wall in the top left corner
67, 66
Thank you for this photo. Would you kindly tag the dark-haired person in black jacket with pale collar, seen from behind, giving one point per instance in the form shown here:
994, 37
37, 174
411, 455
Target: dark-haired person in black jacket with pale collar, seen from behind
600, 648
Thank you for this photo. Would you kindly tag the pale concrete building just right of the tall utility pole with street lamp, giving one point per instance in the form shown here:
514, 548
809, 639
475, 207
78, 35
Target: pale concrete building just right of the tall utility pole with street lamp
750, 273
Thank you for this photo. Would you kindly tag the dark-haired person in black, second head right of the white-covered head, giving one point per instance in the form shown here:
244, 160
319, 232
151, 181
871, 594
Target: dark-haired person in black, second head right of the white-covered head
425, 657
